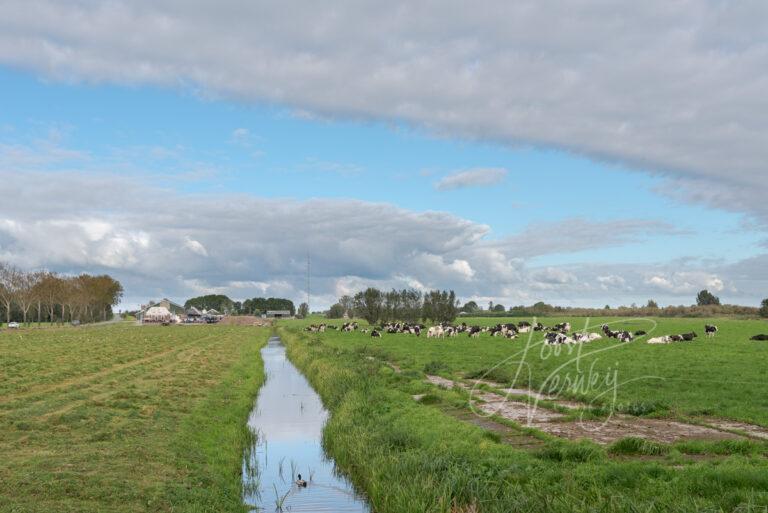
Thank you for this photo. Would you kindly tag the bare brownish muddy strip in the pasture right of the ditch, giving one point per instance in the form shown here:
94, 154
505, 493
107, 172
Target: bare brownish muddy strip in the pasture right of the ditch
604, 431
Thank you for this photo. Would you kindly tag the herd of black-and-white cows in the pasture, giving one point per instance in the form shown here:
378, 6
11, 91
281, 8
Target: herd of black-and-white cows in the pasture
557, 334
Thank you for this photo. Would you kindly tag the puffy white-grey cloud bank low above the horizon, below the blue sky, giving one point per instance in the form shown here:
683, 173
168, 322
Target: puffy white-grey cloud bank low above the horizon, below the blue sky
150, 238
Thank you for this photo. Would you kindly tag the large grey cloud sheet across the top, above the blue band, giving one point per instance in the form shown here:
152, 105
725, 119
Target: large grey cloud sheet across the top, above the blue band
677, 87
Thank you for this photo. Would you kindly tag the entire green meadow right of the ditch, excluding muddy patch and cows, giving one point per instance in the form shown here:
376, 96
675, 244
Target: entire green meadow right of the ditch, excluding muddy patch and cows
412, 446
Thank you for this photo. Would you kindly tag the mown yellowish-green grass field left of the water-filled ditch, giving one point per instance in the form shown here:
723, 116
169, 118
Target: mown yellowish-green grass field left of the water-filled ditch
125, 418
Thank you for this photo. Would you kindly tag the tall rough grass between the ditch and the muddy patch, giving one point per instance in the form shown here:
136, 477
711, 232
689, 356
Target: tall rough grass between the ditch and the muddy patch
410, 456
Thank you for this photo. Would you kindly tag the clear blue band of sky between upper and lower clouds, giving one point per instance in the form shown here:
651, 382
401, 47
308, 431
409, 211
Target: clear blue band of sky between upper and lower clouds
198, 145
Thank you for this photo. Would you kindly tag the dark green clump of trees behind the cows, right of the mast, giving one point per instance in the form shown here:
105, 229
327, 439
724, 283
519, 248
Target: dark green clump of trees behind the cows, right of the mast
408, 305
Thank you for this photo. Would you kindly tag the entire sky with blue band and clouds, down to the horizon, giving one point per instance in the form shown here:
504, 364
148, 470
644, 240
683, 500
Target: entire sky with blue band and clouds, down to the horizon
512, 151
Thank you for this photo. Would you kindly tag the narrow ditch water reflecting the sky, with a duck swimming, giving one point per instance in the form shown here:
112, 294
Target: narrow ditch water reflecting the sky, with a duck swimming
288, 420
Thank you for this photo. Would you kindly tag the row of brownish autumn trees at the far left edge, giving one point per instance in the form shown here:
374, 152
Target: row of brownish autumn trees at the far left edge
48, 297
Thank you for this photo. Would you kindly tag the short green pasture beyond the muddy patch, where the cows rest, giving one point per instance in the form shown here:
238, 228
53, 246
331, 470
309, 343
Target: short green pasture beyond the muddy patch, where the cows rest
725, 377
